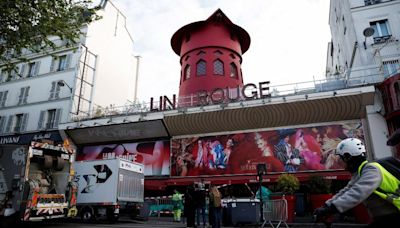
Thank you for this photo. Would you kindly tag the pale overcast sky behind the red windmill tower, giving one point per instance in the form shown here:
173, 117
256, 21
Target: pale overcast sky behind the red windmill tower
289, 38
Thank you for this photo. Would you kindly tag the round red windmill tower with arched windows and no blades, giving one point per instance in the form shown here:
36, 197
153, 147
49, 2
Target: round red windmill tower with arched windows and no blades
210, 55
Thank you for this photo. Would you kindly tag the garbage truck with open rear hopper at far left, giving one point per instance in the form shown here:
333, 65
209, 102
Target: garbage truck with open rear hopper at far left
36, 182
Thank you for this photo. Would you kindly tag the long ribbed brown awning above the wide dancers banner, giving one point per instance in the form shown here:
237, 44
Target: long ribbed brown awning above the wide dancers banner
276, 112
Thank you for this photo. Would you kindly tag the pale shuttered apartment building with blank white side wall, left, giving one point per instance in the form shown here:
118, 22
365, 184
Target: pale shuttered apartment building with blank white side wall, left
58, 85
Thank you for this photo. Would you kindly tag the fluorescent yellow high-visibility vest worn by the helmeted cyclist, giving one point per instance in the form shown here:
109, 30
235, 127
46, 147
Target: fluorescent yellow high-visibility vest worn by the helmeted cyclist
390, 186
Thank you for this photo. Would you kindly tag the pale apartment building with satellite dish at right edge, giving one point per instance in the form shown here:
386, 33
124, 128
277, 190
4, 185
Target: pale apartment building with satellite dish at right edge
365, 47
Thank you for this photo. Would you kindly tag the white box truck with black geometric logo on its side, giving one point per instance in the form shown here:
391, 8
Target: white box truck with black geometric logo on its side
107, 186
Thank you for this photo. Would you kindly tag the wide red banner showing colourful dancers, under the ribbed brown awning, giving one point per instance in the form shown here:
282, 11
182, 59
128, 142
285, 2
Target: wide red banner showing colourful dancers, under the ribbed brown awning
283, 150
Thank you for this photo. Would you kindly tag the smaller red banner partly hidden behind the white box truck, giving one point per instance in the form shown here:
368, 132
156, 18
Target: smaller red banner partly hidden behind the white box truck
155, 156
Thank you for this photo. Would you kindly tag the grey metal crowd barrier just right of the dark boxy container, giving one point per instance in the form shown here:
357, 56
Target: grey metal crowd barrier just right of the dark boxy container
275, 211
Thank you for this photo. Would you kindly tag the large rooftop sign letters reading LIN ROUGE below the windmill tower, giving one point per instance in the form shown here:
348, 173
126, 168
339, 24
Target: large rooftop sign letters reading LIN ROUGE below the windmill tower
216, 96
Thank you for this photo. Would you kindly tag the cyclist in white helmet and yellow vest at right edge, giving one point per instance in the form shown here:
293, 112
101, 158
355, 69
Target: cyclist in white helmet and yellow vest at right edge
370, 183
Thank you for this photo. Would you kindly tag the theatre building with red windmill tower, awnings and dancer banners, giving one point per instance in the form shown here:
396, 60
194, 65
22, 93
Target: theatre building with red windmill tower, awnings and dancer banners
219, 129
